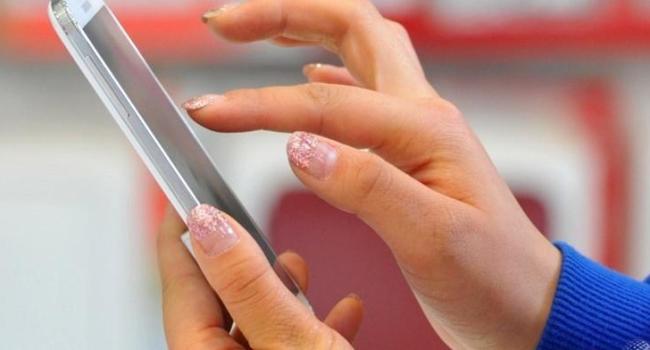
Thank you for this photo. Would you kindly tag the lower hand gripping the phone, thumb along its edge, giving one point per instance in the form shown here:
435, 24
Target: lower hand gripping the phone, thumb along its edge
233, 265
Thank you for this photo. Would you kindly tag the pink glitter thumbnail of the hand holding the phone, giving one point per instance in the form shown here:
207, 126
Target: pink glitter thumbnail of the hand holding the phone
211, 229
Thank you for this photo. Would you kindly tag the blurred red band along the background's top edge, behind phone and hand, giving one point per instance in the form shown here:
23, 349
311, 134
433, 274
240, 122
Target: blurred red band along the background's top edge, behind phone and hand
617, 27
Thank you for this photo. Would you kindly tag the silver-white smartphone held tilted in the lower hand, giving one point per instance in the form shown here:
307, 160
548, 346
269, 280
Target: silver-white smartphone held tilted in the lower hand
148, 117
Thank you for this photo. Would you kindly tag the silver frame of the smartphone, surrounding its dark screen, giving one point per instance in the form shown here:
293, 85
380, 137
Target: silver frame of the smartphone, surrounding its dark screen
68, 19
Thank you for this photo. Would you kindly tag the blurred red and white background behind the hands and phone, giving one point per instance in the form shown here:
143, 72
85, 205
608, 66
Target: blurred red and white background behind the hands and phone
557, 91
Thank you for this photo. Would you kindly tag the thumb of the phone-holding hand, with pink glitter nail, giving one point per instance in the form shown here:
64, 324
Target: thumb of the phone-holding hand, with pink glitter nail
236, 268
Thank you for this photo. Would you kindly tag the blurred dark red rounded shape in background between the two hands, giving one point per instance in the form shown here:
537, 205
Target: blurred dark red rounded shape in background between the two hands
346, 256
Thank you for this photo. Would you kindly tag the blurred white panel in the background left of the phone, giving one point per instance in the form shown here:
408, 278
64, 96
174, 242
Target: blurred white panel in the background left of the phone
72, 262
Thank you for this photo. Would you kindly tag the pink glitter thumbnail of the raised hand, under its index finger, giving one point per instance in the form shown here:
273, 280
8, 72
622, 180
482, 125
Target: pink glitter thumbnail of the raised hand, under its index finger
309, 153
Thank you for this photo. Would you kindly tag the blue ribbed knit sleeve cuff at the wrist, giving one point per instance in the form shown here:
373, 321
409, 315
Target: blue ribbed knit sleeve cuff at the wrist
596, 308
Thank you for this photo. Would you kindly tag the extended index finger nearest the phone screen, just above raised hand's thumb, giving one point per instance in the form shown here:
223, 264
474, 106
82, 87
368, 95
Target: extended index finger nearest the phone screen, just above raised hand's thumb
358, 117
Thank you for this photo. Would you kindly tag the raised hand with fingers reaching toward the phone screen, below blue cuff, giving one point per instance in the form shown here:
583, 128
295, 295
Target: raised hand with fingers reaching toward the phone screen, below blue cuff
483, 274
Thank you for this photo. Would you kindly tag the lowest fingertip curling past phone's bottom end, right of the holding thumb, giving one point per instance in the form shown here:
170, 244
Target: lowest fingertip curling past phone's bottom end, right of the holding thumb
346, 317
